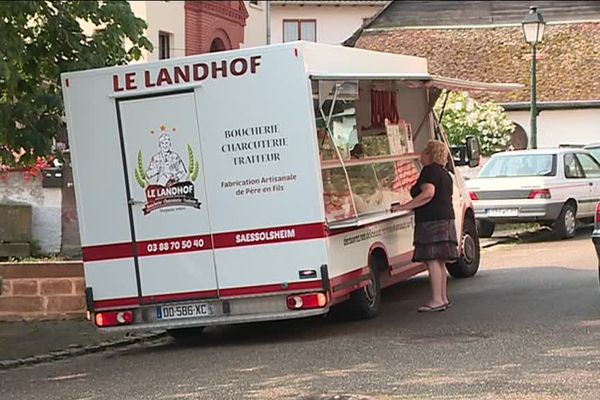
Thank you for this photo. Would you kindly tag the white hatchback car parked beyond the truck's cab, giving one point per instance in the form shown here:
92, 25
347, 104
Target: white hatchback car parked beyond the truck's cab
555, 187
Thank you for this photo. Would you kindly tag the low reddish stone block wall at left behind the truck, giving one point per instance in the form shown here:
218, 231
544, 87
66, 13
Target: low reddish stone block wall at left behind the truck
42, 291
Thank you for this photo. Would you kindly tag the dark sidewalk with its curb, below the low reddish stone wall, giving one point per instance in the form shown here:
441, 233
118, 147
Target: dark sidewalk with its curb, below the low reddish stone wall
23, 343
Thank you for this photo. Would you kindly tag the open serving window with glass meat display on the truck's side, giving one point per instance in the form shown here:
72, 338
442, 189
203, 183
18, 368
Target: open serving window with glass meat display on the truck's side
366, 148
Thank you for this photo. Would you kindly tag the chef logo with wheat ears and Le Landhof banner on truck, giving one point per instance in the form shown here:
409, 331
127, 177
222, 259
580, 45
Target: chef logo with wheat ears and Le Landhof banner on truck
167, 181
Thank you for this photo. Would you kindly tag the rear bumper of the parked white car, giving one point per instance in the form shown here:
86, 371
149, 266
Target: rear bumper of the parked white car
517, 210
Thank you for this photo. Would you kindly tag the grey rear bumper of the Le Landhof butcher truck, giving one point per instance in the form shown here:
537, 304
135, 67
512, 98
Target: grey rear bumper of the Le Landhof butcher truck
226, 312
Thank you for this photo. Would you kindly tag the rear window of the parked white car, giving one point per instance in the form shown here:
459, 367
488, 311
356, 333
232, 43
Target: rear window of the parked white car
520, 165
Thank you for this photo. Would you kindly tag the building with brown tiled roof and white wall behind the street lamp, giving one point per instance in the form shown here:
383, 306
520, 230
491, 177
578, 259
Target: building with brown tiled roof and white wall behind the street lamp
483, 40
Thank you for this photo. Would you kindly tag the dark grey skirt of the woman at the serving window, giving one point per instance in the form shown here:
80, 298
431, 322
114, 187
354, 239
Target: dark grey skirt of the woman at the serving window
435, 240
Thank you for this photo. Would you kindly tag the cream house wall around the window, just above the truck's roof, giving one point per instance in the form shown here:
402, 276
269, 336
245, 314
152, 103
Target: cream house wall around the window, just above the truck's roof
334, 24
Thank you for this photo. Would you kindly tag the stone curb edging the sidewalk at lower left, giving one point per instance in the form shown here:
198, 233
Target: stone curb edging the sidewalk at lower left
79, 350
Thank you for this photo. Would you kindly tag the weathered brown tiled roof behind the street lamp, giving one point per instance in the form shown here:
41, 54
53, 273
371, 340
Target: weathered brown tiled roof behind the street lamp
568, 66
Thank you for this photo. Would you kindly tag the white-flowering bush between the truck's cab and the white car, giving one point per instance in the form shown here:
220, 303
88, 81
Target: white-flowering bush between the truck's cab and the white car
464, 116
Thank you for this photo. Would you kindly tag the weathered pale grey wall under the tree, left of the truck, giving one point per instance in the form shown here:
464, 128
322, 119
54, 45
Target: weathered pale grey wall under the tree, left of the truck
46, 225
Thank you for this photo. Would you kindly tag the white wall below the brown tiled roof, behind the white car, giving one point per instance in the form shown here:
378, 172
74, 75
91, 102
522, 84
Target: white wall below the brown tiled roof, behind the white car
562, 126
